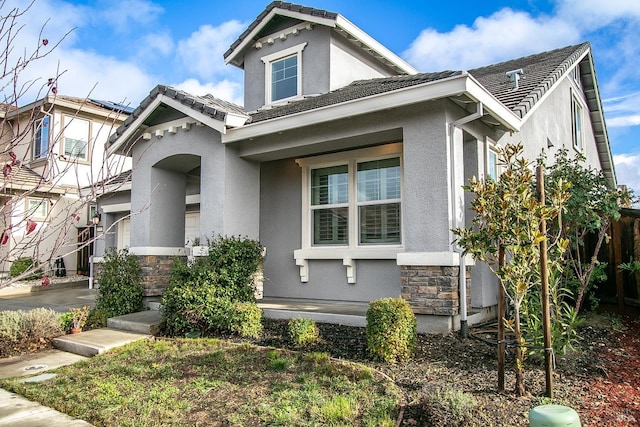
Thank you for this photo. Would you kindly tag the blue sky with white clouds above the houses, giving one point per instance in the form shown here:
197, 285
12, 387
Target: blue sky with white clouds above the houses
119, 50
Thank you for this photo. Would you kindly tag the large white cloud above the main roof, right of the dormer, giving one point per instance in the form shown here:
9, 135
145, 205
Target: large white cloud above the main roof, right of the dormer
504, 35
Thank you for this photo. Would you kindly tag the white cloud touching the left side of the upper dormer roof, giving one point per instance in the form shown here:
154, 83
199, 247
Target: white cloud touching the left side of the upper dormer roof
202, 53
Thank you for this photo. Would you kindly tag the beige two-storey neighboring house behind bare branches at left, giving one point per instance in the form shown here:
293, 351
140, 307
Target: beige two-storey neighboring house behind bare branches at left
51, 149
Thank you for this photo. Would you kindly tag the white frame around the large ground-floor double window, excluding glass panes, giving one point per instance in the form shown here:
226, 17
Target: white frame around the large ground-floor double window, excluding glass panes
353, 249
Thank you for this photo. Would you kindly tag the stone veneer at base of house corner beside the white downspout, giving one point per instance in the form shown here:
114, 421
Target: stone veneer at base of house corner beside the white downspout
433, 289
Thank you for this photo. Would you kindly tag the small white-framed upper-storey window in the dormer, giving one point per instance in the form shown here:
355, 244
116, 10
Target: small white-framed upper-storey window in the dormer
283, 74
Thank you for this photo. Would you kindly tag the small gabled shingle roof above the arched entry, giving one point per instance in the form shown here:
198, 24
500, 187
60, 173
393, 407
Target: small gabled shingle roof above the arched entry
207, 104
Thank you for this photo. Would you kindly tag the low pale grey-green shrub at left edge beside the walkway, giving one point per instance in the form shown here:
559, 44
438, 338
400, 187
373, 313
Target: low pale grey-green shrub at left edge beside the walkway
22, 328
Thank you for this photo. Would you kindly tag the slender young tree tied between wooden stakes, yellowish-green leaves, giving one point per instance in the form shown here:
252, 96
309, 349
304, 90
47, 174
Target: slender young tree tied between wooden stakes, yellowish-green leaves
505, 234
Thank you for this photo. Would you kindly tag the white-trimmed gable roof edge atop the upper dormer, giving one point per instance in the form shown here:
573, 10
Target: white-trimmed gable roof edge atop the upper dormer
267, 23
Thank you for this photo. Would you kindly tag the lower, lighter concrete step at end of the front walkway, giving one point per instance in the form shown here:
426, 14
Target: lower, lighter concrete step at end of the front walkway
96, 341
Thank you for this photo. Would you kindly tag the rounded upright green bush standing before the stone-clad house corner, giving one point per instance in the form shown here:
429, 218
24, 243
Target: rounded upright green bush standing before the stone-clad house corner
391, 329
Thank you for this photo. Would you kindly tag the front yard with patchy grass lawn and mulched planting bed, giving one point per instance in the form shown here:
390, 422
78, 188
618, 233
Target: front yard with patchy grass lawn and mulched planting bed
449, 381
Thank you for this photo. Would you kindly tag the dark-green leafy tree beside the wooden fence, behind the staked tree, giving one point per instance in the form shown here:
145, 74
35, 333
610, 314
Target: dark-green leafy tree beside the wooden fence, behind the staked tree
589, 211
